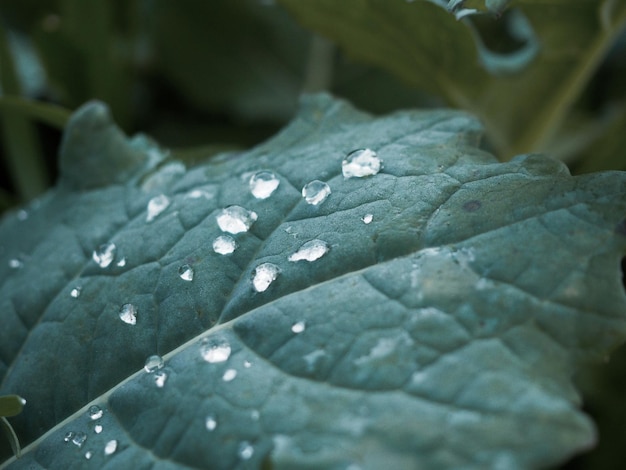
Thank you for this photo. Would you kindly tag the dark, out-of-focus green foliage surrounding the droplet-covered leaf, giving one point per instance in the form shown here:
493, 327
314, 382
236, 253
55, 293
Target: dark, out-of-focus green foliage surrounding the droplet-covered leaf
209, 76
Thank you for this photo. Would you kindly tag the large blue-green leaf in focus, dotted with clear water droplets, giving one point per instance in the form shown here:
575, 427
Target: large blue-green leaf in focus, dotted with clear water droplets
441, 332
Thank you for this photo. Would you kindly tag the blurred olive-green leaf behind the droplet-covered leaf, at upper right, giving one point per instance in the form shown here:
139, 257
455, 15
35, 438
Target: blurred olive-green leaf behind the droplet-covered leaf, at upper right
423, 43
